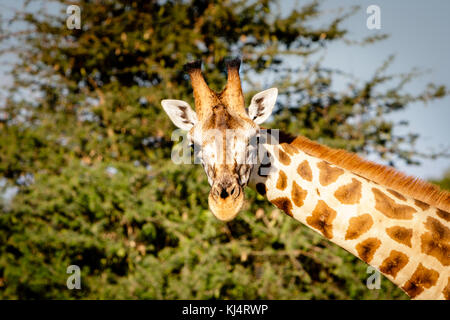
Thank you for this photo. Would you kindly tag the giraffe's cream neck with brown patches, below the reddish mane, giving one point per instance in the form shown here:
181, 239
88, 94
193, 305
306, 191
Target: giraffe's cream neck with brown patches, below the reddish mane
405, 239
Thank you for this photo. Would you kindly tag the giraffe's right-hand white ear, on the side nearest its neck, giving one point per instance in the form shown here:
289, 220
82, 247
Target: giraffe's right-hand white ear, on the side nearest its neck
262, 105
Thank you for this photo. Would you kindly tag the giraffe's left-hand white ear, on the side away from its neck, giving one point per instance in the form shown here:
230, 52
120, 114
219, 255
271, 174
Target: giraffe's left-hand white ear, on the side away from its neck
181, 113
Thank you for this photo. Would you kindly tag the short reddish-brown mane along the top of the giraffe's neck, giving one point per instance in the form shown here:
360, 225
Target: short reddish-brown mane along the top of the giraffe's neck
384, 175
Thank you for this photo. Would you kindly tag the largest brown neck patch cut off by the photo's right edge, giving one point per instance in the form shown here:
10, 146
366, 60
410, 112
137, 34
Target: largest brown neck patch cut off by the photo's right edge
436, 243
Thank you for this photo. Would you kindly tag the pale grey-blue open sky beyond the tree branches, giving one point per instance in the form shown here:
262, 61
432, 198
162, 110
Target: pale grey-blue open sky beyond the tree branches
419, 37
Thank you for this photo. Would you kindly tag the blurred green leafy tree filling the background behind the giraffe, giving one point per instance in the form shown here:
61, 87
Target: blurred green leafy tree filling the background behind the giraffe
92, 96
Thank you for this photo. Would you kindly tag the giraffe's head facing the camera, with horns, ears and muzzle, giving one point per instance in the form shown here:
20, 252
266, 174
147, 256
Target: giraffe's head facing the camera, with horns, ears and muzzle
223, 134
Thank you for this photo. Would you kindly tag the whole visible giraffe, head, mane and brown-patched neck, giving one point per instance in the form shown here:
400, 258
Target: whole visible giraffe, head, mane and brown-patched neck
396, 223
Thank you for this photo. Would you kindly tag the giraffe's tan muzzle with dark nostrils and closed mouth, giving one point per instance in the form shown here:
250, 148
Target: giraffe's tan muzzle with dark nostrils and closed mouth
225, 203
